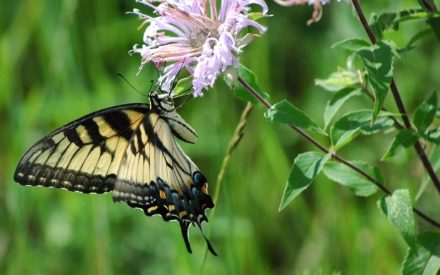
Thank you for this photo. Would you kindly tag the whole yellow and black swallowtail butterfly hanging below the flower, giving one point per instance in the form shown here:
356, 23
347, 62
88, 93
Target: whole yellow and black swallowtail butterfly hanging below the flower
129, 150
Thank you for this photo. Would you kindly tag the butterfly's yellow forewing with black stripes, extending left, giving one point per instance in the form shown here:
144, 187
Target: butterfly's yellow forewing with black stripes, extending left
84, 155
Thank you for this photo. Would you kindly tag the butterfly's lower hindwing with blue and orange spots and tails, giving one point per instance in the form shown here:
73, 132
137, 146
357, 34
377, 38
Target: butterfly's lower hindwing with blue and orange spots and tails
158, 177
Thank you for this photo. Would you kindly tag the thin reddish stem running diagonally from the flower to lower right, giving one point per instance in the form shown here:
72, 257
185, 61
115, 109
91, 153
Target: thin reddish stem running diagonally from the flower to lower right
340, 159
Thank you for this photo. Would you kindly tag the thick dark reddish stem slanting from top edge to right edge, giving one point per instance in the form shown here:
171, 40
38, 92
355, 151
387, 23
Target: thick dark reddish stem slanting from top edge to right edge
399, 102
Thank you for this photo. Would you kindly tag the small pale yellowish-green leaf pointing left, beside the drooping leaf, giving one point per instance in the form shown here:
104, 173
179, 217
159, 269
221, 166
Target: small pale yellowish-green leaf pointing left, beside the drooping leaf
338, 80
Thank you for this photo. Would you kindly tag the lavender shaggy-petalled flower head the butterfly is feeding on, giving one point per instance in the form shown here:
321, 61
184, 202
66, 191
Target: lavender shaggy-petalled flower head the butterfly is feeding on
195, 35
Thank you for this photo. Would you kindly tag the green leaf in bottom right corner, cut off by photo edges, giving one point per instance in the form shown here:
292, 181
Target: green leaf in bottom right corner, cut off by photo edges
426, 259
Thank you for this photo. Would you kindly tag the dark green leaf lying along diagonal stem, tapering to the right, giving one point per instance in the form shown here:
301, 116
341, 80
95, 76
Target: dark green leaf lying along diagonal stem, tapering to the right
286, 113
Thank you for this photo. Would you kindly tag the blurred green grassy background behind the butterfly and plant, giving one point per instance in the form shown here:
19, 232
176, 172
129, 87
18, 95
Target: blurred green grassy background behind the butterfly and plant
59, 60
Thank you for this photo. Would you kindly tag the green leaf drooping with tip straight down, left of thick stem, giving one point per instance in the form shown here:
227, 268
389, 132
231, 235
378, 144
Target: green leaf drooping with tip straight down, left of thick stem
378, 62
